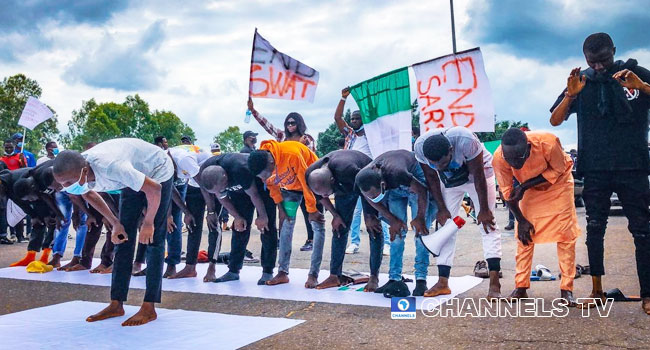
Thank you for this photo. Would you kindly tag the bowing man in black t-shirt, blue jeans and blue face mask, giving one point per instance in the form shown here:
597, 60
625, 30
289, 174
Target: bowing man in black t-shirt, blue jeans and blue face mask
390, 183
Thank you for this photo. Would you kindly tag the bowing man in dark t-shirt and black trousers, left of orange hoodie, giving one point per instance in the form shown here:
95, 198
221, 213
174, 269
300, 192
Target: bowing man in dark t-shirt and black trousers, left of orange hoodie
226, 182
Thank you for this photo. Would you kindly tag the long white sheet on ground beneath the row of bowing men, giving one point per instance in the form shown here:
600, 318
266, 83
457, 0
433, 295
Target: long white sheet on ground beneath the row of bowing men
247, 286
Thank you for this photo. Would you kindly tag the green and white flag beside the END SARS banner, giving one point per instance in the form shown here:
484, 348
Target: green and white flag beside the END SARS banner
384, 103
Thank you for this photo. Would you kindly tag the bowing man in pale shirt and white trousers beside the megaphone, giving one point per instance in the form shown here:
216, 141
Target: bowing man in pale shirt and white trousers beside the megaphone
454, 163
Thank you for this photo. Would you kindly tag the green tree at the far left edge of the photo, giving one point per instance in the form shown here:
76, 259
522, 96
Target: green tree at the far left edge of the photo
14, 92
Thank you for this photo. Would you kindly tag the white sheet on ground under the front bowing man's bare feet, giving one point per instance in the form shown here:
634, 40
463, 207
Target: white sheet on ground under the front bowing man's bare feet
64, 326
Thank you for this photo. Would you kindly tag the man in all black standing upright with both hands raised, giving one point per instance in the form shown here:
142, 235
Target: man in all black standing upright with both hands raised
611, 99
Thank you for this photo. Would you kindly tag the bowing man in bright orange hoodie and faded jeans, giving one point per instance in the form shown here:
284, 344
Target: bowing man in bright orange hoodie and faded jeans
282, 165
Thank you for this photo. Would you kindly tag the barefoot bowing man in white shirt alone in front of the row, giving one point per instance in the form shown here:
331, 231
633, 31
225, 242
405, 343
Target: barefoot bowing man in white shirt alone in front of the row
144, 173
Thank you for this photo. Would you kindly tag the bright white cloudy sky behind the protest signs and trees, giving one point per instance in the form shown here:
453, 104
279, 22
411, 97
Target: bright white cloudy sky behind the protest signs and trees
200, 70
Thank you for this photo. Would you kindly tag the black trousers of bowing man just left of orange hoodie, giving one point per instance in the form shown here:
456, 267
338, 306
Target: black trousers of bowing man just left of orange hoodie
239, 239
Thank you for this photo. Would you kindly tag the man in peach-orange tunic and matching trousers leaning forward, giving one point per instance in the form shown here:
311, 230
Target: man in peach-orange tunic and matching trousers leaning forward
543, 204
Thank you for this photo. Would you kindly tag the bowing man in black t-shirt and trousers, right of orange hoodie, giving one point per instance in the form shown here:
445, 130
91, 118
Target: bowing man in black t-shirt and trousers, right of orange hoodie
335, 174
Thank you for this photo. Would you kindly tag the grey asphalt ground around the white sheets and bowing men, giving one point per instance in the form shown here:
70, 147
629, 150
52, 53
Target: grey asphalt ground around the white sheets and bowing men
337, 326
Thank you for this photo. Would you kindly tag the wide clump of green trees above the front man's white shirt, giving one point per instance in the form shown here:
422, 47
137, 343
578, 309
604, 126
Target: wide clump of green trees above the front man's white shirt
132, 118
